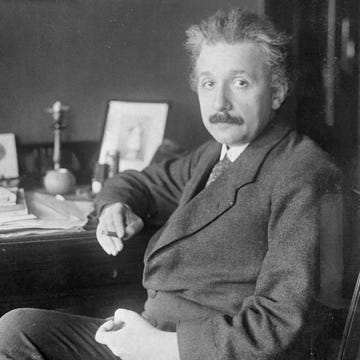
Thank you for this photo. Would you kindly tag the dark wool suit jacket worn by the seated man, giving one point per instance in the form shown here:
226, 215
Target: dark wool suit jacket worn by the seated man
235, 268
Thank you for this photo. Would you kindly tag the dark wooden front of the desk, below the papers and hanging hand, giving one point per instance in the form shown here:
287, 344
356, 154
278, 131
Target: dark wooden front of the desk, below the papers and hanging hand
70, 272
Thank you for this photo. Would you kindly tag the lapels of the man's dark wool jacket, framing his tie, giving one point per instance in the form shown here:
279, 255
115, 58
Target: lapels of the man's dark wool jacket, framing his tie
195, 213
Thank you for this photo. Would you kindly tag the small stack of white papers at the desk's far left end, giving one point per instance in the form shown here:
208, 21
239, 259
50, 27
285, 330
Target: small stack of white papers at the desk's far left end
13, 207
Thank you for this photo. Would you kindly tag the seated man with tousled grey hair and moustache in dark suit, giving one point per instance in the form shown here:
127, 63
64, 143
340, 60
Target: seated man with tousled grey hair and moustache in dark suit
234, 271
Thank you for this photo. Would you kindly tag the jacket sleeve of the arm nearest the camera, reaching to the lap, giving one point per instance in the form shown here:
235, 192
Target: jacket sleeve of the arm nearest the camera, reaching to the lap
272, 321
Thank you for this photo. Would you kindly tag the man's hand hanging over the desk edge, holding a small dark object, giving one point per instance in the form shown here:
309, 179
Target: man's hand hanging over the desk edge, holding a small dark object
120, 219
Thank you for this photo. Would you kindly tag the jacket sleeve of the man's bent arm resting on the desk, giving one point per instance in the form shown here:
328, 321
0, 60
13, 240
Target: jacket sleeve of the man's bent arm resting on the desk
154, 193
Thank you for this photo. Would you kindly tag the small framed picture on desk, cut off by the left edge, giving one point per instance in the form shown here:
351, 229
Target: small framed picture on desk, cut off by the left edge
8, 157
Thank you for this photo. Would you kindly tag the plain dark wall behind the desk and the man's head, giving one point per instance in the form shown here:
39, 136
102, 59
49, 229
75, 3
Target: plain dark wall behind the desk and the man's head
85, 52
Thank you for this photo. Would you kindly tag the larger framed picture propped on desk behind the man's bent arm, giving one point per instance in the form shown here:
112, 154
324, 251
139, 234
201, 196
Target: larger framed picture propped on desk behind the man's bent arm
135, 130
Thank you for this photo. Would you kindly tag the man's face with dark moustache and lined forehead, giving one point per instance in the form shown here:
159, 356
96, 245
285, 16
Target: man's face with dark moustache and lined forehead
235, 94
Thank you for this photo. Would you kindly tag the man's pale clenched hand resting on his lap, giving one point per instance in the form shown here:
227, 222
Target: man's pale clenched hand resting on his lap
131, 337
